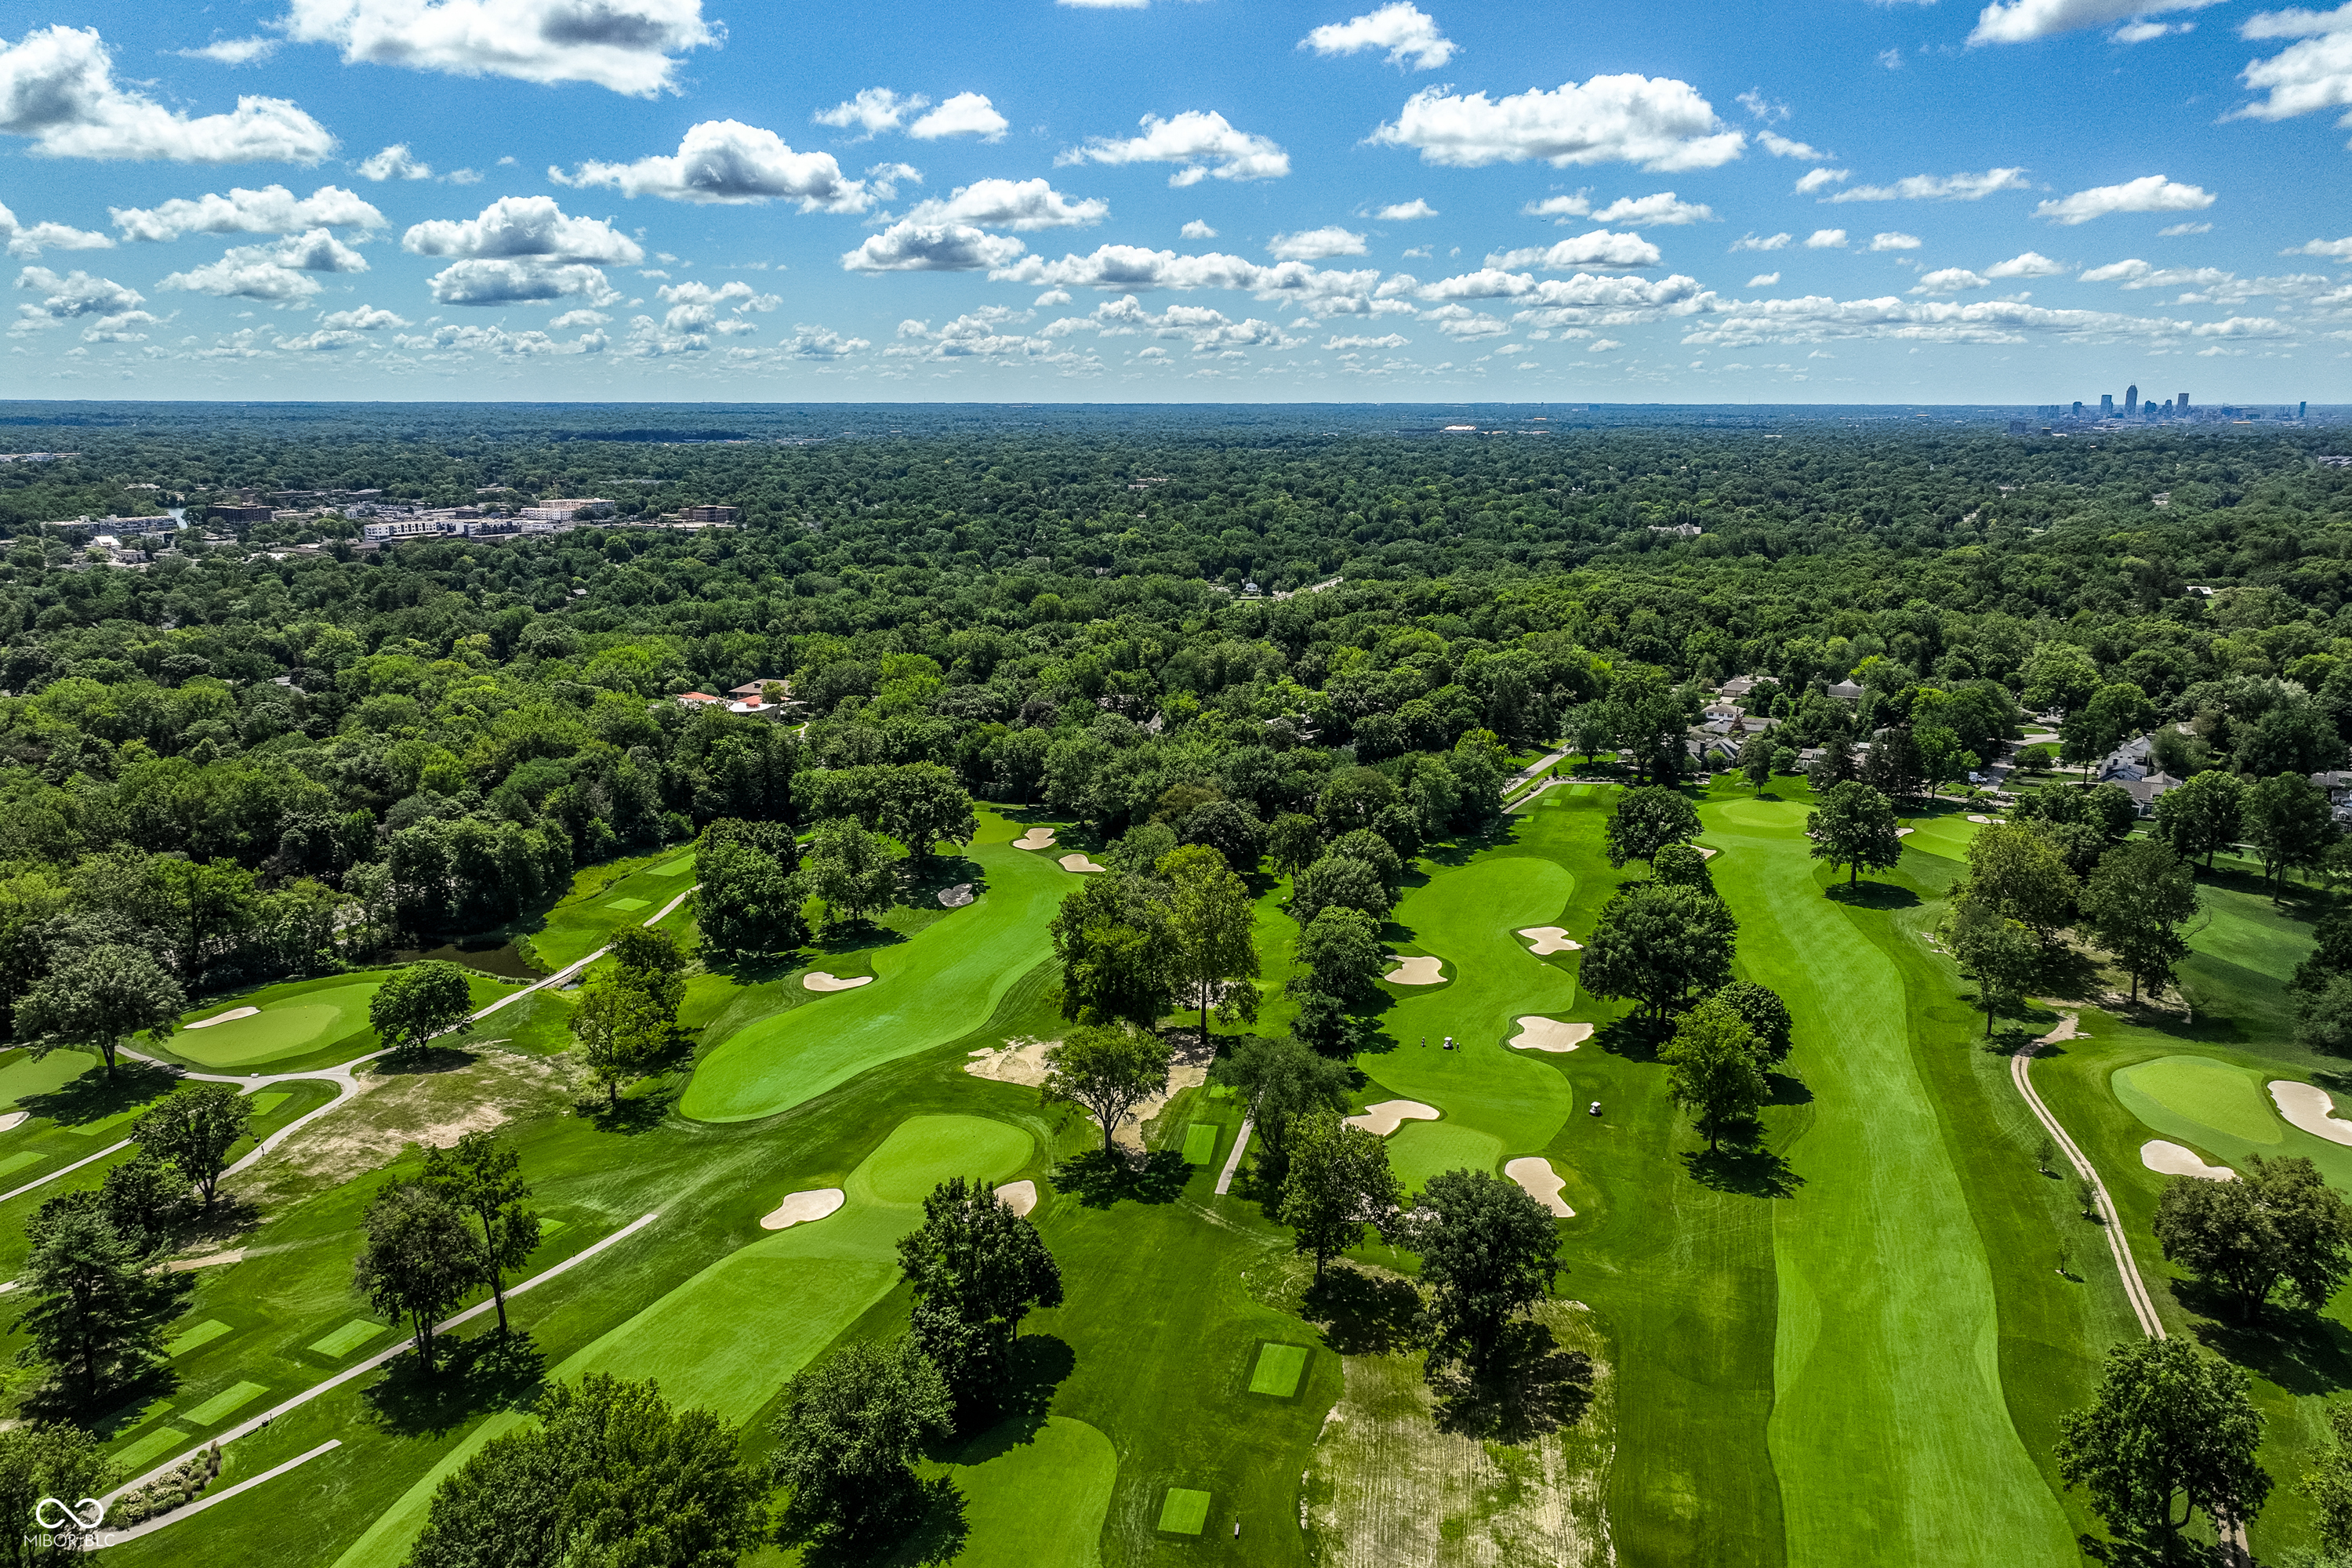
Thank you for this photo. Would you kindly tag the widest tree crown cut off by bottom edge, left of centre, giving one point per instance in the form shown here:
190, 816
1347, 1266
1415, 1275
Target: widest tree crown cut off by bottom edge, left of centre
610, 1473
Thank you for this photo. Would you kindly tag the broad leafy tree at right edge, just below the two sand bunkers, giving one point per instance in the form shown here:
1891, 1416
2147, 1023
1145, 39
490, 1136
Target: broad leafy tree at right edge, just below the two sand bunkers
2276, 1226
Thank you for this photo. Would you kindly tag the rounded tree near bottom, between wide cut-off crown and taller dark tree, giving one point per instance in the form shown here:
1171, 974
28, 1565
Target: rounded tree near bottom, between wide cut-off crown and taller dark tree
850, 1435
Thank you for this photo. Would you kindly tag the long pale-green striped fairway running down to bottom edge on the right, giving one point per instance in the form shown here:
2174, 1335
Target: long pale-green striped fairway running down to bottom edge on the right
1890, 1430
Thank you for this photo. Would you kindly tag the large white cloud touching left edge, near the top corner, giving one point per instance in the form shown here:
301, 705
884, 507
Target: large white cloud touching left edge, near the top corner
58, 88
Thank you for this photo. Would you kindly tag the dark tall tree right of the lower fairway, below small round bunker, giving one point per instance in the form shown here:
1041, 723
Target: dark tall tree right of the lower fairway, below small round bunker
977, 1271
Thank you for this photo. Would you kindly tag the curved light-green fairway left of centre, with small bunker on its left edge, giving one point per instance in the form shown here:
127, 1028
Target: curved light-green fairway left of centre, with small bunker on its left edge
933, 989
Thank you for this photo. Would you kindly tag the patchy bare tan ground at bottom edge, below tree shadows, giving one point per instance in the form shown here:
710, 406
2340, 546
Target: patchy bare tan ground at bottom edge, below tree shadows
1389, 1485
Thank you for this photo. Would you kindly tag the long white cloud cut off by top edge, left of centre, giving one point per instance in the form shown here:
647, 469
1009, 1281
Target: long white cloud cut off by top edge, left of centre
627, 46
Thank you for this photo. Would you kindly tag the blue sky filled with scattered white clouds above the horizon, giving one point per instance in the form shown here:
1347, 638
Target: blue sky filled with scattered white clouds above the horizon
1808, 201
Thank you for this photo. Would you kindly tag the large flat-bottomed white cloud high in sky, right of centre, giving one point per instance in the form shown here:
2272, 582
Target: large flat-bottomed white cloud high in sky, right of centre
1657, 123
